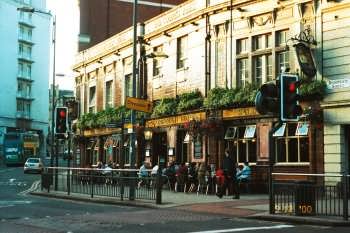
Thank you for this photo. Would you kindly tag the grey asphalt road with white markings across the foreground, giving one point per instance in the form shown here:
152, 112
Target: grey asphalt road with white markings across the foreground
22, 212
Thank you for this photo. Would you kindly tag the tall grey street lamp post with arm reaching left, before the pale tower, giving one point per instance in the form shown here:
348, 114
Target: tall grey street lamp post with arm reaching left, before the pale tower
33, 10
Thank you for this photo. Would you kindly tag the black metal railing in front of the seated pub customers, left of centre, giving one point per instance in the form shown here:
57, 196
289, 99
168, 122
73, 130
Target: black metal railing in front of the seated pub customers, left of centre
100, 182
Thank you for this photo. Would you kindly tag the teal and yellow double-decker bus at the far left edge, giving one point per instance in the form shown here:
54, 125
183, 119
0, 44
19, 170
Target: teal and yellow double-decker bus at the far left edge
18, 147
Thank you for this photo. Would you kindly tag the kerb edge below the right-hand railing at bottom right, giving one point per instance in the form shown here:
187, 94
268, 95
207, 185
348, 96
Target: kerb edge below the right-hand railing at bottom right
300, 220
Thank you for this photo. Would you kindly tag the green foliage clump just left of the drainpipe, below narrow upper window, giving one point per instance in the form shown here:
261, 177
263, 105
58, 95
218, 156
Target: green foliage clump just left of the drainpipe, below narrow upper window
189, 101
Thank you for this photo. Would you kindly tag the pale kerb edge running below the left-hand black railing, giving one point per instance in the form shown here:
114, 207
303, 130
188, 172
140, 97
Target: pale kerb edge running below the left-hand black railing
98, 200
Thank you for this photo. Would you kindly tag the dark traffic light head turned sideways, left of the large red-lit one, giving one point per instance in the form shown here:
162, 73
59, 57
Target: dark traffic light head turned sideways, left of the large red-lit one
266, 100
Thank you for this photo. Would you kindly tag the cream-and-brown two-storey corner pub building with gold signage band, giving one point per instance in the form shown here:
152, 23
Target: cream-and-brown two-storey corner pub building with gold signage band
201, 46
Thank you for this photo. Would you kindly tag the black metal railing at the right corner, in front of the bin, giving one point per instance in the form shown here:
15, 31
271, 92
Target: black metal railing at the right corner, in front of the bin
310, 194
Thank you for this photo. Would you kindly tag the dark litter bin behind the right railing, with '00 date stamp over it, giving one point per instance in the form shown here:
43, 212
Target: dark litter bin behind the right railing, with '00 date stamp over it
305, 198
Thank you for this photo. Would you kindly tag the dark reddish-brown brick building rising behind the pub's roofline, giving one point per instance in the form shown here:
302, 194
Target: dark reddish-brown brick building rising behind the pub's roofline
101, 19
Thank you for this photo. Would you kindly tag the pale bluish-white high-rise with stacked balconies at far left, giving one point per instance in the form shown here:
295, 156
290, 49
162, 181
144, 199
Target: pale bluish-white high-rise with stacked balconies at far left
25, 68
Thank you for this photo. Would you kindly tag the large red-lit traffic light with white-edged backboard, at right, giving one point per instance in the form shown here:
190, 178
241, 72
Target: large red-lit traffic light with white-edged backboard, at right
290, 108
